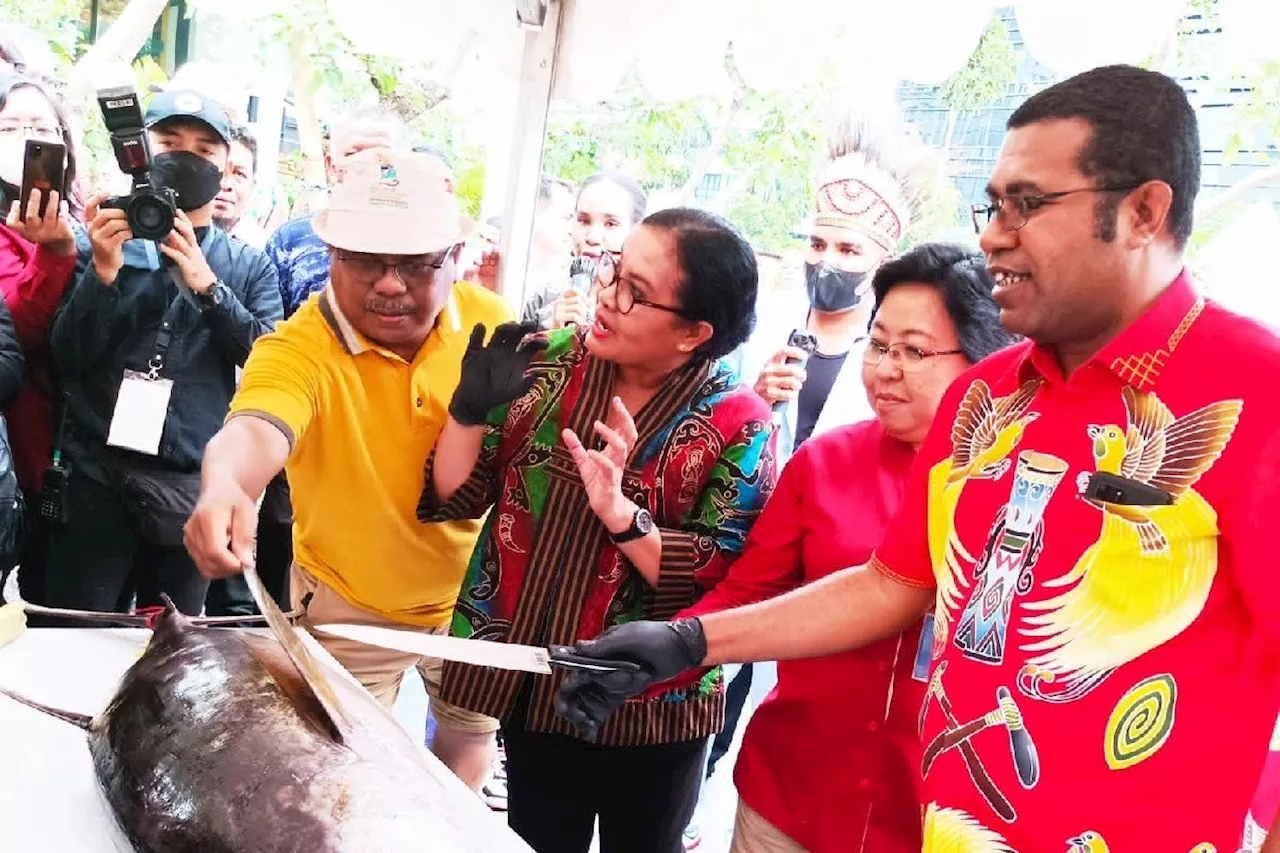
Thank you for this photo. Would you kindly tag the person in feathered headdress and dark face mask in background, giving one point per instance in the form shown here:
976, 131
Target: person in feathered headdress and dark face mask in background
862, 209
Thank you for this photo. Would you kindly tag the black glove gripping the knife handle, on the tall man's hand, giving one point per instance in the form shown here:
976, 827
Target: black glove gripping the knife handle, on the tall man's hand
662, 650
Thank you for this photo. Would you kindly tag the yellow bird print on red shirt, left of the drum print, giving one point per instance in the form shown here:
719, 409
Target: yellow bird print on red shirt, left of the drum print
985, 434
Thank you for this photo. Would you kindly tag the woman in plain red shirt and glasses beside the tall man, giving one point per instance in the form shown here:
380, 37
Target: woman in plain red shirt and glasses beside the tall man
831, 759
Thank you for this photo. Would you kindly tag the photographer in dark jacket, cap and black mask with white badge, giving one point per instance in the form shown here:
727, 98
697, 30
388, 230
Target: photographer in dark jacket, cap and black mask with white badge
148, 344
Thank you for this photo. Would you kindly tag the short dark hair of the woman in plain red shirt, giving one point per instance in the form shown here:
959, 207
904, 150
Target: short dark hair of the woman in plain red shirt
961, 276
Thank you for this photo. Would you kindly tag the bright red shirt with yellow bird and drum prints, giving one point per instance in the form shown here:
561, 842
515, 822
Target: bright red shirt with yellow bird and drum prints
1107, 606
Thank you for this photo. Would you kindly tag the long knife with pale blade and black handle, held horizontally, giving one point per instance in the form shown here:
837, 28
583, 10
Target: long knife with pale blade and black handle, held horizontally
504, 656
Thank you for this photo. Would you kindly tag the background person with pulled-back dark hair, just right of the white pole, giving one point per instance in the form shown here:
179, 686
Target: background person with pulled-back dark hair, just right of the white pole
610, 204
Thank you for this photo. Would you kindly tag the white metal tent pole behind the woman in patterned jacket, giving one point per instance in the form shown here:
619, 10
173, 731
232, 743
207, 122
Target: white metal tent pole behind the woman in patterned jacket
538, 72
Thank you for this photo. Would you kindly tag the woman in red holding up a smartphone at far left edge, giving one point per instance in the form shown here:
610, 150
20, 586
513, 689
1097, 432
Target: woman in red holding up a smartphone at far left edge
38, 262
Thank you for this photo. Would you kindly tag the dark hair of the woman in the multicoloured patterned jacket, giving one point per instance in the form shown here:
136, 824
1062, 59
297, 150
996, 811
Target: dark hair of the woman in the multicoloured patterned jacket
719, 276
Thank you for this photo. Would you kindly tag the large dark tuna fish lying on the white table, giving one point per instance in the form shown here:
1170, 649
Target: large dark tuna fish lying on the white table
216, 745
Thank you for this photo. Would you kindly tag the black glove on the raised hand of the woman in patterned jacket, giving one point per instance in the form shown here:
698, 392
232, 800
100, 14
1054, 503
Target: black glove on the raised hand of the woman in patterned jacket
495, 375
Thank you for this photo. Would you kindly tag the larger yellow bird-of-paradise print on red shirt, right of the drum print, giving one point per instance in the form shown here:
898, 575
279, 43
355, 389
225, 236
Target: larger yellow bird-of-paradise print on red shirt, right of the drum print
1150, 572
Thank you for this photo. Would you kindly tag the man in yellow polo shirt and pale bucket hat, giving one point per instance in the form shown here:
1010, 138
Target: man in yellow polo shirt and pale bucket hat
349, 395
